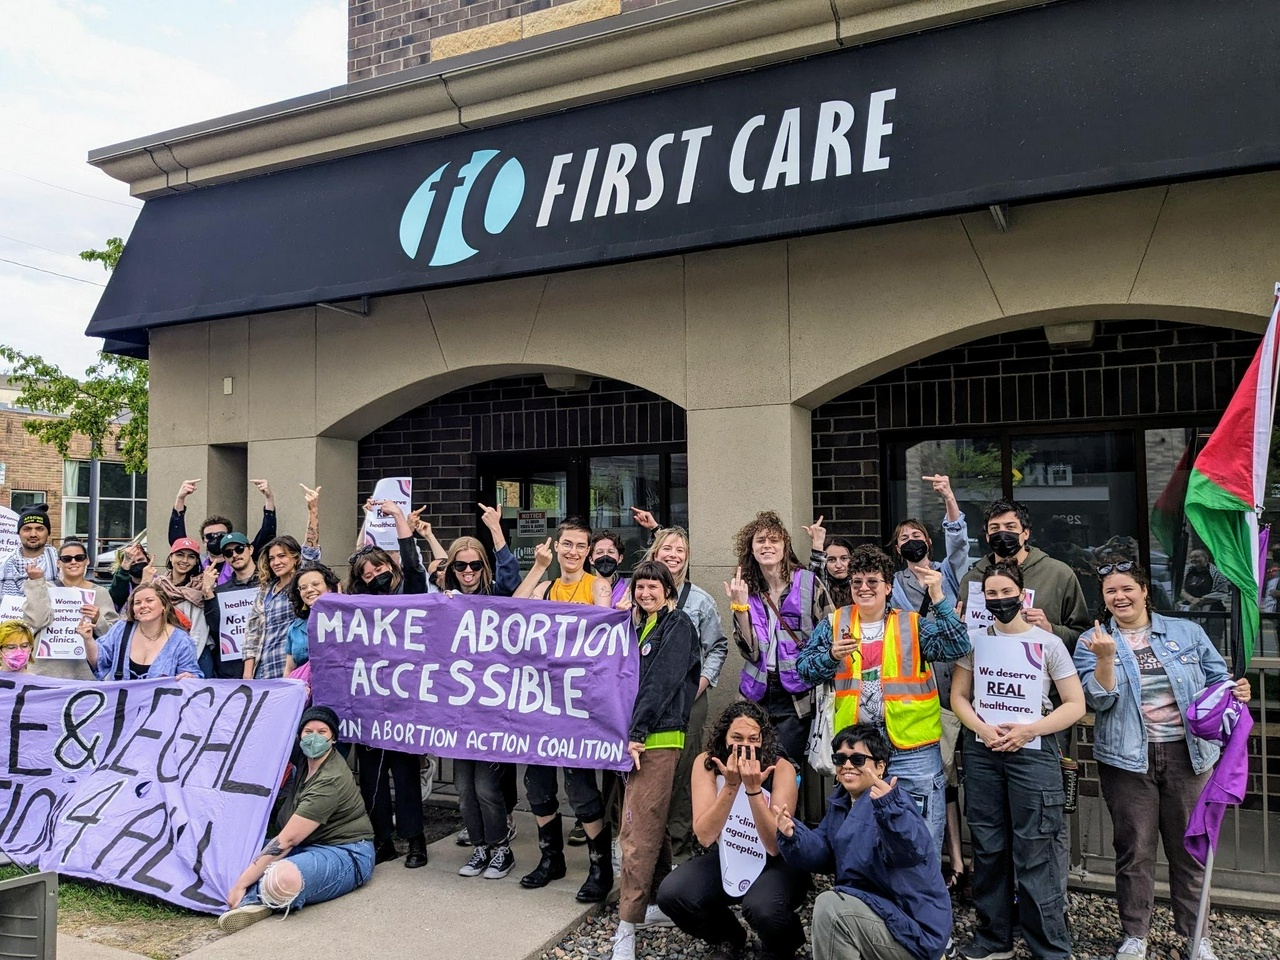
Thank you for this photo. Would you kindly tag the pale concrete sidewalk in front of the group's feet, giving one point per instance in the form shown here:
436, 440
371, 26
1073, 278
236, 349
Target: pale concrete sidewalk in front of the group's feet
401, 913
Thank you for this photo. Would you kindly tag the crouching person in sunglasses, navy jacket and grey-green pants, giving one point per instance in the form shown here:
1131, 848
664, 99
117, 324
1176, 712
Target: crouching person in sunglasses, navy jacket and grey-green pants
889, 900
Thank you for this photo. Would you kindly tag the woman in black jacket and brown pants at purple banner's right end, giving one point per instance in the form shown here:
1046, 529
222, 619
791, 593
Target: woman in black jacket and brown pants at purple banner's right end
669, 683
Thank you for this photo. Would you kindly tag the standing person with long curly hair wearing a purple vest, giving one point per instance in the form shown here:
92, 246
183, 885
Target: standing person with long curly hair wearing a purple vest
776, 604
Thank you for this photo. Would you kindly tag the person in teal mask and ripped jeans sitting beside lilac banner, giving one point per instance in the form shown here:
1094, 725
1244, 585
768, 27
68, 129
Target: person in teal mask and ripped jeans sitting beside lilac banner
324, 843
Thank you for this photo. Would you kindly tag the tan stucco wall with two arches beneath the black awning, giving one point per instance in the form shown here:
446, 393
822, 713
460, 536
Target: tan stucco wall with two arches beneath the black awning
746, 340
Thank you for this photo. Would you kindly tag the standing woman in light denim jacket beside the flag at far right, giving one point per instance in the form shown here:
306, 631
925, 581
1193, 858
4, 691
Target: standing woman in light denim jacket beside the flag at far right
1141, 673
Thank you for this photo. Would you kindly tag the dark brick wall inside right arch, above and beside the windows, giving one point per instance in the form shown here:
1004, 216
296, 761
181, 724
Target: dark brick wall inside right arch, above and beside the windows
1133, 369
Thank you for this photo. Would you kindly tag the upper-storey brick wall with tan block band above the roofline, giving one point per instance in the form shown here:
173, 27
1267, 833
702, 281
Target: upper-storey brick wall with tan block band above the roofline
385, 36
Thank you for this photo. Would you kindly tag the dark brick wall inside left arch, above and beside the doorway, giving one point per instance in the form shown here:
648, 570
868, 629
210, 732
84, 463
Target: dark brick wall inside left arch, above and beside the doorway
437, 445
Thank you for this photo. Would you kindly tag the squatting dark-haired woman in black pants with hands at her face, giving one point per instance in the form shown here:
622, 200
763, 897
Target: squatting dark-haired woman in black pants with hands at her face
738, 780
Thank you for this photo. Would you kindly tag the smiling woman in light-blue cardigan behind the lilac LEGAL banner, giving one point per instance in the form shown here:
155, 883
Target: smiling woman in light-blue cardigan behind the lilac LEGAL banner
147, 644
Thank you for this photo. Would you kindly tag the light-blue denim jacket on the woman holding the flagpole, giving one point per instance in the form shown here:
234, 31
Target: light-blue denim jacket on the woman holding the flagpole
1192, 664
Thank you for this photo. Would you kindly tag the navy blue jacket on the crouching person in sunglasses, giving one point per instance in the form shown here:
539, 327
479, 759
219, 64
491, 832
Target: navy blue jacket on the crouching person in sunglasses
881, 853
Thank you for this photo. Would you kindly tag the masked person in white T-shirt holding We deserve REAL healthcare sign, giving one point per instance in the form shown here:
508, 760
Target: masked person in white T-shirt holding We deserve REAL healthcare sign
1014, 799
